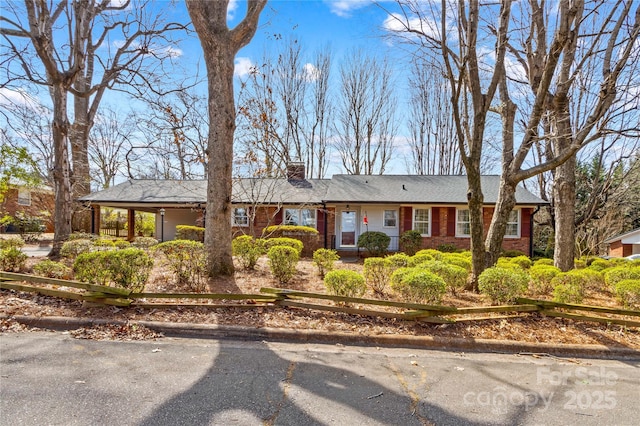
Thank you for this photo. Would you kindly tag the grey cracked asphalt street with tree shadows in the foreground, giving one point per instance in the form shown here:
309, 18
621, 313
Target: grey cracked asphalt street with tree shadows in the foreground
53, 379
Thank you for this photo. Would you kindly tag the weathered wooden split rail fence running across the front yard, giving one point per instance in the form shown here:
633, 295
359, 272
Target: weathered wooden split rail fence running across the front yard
277, 297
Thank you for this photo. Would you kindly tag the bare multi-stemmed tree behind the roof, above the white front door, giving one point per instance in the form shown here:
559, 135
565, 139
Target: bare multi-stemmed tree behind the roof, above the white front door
366, 114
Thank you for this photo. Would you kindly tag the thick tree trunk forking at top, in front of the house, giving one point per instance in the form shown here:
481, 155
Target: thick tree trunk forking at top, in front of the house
220, 46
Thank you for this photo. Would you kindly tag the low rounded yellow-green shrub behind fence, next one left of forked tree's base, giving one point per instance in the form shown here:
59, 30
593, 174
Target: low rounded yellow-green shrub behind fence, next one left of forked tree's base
419, 285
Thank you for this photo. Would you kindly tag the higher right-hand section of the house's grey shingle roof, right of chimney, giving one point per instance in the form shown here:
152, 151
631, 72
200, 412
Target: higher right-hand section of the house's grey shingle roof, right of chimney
416, 189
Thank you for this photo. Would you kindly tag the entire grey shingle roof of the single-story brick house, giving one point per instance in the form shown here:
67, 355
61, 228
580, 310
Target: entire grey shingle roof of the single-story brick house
398, 189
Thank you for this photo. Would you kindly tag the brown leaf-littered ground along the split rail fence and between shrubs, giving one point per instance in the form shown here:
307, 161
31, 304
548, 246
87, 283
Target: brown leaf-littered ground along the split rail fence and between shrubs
524, 327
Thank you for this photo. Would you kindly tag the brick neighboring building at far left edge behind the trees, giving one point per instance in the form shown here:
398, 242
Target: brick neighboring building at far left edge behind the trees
30, 201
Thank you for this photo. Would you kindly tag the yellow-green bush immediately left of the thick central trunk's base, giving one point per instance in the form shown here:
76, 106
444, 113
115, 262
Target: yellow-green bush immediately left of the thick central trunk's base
187, 259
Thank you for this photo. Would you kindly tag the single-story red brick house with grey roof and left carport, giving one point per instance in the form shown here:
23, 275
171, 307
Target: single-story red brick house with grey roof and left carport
340, 208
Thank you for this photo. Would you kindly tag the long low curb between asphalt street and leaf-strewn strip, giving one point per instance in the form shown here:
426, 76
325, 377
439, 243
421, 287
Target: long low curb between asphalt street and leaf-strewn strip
212, 331
